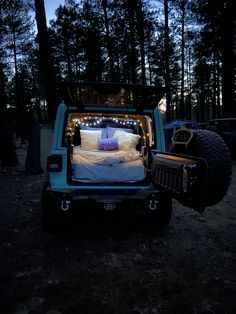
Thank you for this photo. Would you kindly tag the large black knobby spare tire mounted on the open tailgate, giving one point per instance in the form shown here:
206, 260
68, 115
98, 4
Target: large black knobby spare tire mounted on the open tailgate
211, 147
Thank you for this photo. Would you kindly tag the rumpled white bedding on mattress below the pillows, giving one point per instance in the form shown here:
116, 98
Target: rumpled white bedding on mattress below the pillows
107, 166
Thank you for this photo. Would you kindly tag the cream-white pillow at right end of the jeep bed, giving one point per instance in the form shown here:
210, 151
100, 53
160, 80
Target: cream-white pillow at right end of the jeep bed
126, 141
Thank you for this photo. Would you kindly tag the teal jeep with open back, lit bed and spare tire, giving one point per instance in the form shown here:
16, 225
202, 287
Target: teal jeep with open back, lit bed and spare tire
109, 151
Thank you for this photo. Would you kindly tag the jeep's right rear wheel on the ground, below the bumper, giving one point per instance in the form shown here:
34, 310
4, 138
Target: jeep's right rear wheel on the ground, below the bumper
159, 210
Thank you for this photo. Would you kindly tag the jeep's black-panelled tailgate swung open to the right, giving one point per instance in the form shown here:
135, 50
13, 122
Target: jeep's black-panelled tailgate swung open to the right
183, 177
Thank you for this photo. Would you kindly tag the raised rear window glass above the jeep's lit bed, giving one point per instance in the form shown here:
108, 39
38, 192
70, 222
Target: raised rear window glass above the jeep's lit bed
113, 95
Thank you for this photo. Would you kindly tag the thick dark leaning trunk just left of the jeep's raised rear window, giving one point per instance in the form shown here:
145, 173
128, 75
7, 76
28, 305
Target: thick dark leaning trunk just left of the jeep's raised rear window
46, 60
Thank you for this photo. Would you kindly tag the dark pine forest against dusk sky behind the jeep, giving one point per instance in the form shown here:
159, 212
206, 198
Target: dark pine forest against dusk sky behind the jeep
188, 46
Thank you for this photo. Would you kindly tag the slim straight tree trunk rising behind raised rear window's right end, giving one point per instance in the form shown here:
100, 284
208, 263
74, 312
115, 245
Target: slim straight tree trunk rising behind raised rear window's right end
167, 63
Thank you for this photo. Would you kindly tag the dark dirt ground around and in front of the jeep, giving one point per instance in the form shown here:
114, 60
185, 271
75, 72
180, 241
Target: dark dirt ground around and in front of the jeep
106, 266
